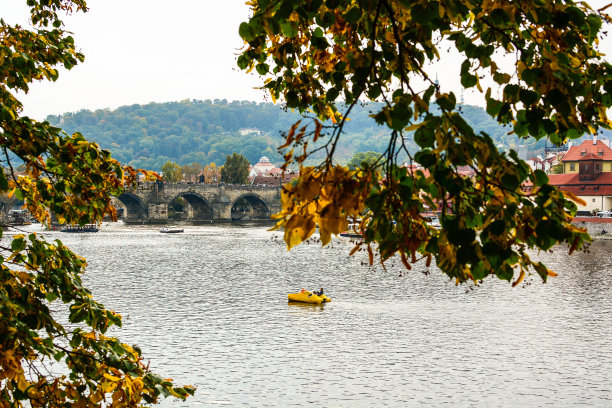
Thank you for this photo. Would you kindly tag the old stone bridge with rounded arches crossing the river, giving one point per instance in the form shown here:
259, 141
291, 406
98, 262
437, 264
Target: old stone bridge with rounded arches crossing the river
157, 203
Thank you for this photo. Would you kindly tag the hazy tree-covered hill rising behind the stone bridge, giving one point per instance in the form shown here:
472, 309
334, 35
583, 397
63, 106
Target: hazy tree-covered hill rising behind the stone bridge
146, 136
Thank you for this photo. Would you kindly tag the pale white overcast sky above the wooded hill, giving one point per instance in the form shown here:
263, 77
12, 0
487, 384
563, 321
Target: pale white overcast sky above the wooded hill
141, 51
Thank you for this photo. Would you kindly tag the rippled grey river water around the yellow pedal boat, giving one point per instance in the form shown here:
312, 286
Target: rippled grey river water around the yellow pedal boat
209, 308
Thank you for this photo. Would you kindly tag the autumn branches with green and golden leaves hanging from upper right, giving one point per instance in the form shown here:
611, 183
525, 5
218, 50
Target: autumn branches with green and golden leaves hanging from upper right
557, 86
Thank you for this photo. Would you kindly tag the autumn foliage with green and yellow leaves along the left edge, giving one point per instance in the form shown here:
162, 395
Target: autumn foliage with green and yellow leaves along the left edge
74, 179
